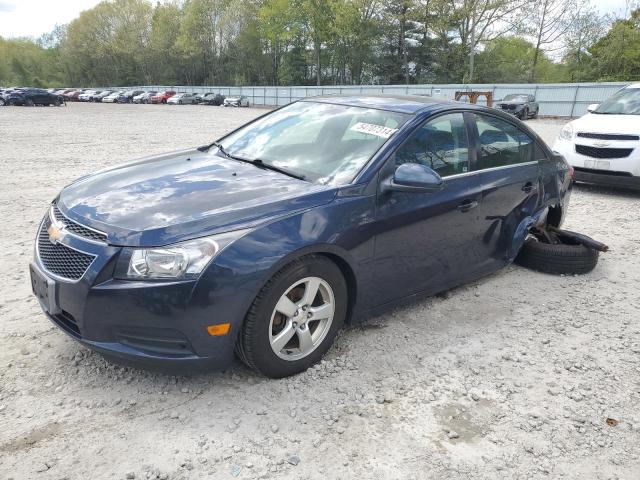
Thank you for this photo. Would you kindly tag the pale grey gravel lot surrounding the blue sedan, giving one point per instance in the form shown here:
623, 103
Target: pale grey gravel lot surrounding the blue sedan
511, 377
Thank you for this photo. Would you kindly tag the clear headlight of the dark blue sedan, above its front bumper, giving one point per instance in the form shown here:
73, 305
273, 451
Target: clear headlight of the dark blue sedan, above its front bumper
180, 261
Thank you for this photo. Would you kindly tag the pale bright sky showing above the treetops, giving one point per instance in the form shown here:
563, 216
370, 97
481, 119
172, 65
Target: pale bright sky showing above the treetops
32, 18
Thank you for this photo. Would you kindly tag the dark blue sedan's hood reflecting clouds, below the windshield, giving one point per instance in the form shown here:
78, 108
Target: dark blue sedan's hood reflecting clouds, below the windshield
182, 195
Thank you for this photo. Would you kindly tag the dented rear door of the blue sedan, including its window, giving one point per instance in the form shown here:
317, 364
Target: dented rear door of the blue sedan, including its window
510, 176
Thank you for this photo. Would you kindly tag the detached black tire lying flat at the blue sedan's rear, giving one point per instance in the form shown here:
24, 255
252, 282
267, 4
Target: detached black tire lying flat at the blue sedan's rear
558, 259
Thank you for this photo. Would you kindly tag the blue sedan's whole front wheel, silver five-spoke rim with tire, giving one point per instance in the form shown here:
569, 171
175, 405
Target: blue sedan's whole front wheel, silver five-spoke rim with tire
295, 318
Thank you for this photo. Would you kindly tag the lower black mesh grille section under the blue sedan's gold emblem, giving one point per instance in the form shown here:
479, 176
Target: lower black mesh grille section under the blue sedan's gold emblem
59, 259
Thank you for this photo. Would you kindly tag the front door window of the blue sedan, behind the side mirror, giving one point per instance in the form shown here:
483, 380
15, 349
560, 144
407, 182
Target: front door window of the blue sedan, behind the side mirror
440, 144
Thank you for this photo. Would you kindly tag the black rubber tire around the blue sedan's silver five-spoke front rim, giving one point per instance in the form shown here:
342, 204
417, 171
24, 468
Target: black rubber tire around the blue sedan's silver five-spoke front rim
253, 346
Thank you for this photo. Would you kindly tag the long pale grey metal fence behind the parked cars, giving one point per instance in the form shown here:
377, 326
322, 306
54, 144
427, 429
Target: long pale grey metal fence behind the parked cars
562, 100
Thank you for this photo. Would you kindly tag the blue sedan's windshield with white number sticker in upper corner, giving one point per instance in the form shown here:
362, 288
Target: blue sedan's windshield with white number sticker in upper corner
323, 142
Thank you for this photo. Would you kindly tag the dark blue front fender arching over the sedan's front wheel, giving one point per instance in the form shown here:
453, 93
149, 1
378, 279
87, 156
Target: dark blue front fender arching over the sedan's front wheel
231, 283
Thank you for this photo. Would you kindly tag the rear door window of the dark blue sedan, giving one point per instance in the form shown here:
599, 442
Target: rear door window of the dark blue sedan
501, 143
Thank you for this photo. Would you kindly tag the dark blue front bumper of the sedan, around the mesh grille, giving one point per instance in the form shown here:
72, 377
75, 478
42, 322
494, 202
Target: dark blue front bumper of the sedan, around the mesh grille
160, 325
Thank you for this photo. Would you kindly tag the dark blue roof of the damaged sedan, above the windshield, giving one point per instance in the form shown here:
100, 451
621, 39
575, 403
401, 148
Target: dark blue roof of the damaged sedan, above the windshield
397, 103
